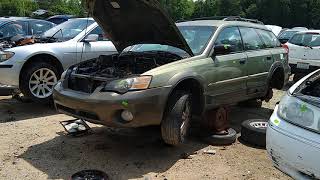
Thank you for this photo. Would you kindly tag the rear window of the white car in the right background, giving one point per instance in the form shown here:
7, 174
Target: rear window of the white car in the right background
306, 39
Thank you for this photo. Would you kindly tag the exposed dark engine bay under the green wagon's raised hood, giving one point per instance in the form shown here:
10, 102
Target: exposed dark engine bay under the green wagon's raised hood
125, 65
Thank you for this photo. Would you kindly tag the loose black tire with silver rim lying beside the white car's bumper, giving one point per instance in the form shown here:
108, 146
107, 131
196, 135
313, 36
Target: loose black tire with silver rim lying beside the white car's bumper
254, 132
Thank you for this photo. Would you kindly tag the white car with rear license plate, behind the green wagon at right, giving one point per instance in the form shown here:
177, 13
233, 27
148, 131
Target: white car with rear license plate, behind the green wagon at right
304, 53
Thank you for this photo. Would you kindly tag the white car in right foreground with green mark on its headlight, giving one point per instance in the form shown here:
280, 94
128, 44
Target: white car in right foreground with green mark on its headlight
293, 134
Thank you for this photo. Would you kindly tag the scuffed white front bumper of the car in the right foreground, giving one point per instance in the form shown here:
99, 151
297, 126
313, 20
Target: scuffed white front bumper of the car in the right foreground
293, 150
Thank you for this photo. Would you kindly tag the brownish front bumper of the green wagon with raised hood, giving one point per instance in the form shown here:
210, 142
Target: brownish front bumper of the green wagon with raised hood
105, 108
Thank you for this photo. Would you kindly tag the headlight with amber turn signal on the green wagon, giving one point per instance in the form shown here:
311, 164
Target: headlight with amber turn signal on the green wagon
124, 85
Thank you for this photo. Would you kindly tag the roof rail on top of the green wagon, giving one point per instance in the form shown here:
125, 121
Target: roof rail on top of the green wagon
225, 18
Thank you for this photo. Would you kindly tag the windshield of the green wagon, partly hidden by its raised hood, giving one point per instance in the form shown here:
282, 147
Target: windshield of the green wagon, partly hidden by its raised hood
197, 38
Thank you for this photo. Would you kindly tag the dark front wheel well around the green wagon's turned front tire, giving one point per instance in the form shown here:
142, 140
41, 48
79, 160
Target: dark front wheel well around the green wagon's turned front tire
195, 88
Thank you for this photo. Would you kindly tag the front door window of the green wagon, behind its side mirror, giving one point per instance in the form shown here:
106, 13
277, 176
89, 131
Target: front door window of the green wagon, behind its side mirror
230, 36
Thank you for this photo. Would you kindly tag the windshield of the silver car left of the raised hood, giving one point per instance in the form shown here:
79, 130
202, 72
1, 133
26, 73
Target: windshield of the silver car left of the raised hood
67, 30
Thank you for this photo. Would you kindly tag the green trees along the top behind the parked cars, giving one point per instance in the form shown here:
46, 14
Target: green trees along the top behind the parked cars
286, 13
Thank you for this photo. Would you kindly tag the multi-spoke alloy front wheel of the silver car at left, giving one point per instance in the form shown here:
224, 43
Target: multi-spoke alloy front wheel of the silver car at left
28, 76
